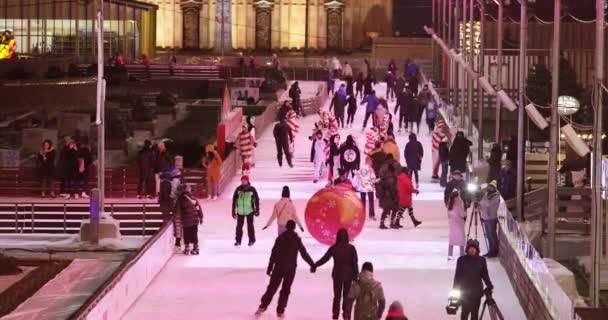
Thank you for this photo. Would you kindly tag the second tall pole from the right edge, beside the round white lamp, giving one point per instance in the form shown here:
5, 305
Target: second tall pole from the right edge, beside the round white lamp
554, 137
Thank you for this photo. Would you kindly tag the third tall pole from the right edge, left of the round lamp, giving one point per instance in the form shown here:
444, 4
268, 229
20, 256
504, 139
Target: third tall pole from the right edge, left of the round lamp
523, 28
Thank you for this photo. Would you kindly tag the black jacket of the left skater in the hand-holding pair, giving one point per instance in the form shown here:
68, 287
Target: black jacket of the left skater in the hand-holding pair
284, 256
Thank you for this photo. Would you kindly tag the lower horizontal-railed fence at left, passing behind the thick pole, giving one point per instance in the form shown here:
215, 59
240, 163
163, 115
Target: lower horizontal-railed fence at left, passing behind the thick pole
136, 218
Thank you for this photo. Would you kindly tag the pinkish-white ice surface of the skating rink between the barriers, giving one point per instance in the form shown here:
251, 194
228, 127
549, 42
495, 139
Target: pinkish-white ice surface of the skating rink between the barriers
225, 282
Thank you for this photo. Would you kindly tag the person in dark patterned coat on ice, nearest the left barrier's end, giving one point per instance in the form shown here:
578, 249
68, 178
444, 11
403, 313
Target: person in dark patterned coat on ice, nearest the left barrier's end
191, 215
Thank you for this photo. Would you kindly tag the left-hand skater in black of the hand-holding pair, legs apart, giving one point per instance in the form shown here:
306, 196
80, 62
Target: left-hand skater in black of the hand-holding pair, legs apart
282, 268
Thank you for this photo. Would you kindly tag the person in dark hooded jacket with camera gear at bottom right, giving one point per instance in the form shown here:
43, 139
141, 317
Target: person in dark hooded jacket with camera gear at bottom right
471, 269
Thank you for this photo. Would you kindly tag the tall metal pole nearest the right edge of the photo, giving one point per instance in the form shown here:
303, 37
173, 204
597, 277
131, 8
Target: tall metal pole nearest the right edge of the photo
596, 209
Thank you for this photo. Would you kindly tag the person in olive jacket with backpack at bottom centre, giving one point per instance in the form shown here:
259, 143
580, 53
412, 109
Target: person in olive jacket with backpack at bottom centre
367, 294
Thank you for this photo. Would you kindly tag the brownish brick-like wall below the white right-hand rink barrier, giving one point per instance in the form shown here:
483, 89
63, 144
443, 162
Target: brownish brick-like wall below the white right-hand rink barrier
529, 297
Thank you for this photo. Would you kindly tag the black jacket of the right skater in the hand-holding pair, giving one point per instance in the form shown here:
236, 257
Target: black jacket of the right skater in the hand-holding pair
346, 265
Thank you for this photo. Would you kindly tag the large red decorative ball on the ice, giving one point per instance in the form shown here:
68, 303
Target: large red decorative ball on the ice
333, 208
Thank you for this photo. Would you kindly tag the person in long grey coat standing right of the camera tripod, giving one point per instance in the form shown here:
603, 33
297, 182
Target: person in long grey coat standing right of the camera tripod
489, 217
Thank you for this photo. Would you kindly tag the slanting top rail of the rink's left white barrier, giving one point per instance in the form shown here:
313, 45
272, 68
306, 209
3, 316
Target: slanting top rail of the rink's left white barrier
109, 284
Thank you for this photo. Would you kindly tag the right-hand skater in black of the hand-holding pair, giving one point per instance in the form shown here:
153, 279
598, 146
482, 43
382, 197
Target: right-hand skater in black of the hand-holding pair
344, 272
